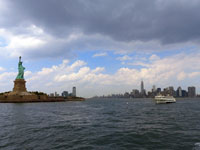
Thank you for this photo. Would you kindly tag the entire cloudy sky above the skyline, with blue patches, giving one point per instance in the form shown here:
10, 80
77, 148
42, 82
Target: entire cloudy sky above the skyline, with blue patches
100, 46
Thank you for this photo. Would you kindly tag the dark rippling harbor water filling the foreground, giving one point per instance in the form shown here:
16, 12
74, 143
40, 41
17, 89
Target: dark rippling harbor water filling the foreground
101, 124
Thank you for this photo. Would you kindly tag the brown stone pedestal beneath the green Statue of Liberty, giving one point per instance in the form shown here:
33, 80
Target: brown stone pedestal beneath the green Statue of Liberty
19, 86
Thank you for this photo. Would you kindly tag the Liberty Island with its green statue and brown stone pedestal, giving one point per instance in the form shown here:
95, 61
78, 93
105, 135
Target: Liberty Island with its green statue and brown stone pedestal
21, 95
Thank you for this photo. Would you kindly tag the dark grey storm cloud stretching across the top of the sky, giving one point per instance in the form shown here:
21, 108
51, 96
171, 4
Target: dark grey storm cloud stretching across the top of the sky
170, 21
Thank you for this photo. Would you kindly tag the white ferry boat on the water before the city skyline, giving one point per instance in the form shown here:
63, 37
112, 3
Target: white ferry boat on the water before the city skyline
161, 99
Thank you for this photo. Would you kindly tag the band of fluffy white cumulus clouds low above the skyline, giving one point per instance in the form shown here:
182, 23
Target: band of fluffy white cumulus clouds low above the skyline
178, 70
